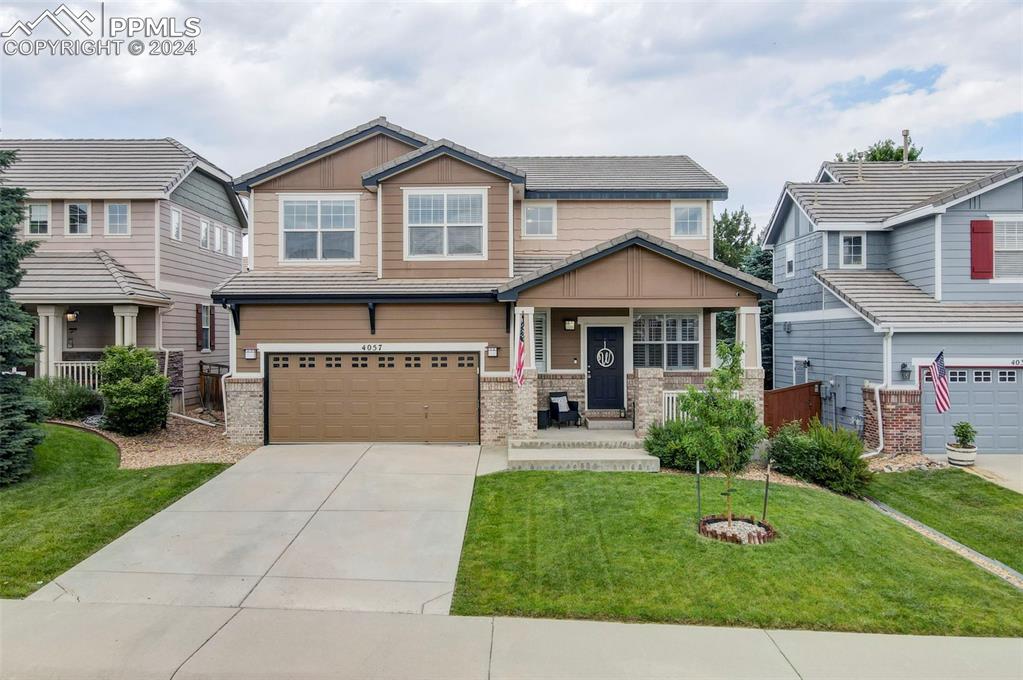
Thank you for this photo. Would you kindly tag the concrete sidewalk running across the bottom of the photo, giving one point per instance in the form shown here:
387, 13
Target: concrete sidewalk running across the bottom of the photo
111, 642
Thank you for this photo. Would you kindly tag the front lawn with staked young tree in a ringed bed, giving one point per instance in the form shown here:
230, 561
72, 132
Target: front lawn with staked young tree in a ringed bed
624, 548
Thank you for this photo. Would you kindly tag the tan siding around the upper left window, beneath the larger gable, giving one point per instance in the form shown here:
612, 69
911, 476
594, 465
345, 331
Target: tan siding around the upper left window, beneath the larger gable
339, 172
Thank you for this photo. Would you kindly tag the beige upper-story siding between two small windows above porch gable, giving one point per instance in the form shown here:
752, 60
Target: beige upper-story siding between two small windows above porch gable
583, 224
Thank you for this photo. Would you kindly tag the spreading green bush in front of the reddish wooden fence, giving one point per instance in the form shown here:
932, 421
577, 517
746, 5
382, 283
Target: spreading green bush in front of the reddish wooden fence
822, 456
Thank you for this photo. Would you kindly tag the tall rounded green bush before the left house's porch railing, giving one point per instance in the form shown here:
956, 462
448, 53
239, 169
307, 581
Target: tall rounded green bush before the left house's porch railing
138, 397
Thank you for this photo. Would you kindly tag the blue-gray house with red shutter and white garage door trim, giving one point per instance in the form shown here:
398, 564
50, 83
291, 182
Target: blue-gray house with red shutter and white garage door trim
884, 265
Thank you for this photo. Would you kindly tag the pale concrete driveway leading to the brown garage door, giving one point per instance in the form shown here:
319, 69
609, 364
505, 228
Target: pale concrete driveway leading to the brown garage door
348, 527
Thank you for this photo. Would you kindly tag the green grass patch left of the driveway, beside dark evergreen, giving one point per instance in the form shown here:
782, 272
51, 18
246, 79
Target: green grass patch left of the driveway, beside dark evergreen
76, 503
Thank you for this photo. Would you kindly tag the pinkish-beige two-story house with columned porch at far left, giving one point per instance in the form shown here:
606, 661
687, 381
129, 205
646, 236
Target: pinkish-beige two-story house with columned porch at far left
134, 235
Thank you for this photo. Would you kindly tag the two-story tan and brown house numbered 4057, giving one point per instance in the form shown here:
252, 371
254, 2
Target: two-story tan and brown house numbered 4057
391, 276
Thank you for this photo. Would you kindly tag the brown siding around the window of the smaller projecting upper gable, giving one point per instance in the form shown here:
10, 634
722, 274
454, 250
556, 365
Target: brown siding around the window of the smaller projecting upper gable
447, 172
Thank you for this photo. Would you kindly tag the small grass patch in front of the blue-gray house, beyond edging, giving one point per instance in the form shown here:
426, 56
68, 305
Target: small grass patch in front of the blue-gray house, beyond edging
975, 513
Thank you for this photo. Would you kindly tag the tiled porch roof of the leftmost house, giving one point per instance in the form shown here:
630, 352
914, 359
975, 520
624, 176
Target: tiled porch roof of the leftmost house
83, 277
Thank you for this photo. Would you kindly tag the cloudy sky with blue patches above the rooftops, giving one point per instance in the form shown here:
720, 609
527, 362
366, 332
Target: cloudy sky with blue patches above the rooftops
759, 94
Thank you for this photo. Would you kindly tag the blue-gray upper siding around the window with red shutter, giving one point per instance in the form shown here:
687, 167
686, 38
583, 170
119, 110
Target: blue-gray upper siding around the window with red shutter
956, 282
